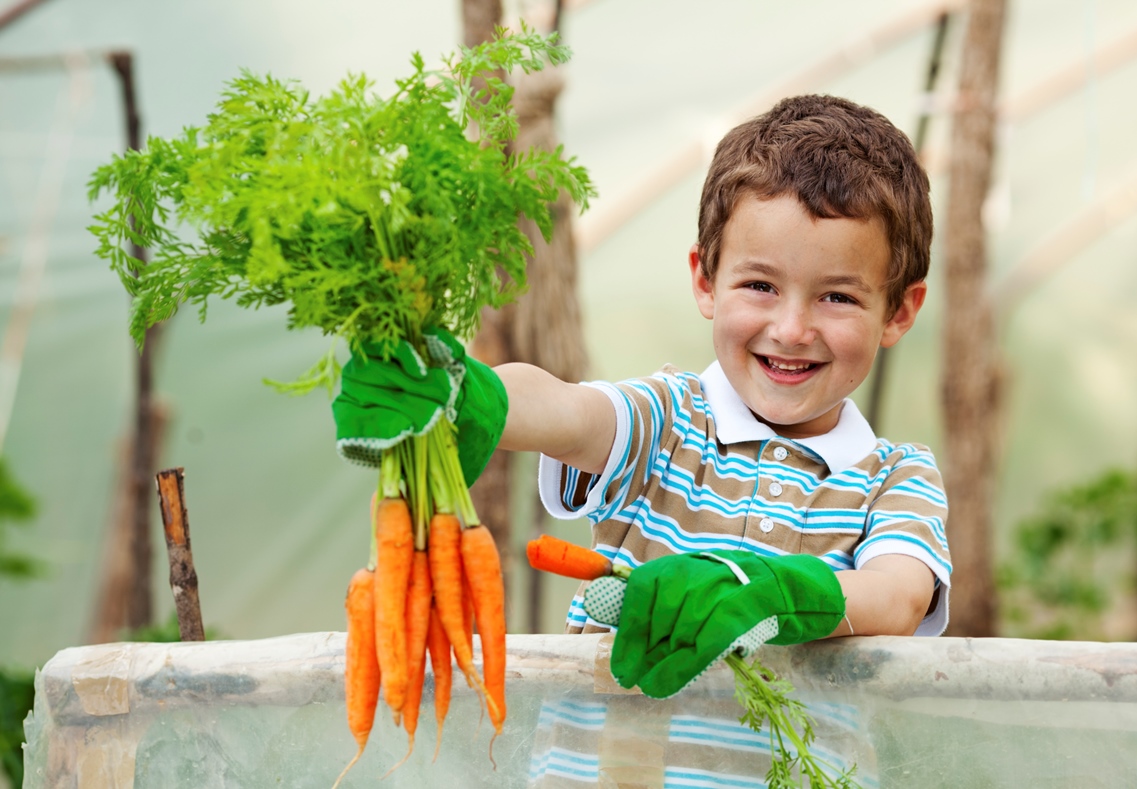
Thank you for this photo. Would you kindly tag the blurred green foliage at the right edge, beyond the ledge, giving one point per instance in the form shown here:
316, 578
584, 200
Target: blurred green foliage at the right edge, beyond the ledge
1073, 561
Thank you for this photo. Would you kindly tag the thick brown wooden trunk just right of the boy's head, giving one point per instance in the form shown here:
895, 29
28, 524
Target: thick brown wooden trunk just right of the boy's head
970, 391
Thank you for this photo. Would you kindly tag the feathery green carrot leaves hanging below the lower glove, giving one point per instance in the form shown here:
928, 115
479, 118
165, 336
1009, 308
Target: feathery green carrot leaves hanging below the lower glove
767, 699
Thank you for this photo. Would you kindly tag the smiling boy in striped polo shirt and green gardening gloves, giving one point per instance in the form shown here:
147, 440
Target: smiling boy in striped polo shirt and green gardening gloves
756, 489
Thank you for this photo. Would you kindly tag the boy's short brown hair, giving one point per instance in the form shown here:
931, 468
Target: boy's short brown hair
840, 160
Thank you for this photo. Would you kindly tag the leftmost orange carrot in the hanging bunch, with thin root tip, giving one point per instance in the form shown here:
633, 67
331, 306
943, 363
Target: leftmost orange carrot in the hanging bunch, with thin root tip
361, 669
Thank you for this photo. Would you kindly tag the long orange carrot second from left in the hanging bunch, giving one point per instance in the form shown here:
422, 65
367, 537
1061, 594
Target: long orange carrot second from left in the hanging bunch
395, 557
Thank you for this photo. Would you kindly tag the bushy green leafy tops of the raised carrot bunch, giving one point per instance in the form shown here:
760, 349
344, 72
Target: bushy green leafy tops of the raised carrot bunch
370, 218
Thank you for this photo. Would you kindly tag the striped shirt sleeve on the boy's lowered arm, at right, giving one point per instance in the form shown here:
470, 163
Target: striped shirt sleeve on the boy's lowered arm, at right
909, 517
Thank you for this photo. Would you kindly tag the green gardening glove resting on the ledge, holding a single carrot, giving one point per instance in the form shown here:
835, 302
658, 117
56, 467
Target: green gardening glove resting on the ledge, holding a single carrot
682, 614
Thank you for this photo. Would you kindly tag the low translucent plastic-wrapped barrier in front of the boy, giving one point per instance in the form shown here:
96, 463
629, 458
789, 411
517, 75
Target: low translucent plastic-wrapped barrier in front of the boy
925, 713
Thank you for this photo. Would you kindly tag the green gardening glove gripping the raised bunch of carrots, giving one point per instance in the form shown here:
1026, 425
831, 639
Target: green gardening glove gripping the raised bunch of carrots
383, 403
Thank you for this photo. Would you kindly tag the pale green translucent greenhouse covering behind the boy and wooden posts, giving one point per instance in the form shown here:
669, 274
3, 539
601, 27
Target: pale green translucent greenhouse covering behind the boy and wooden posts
278, 521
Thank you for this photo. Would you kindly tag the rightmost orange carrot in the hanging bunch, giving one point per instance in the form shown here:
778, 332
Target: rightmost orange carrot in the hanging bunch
484, 571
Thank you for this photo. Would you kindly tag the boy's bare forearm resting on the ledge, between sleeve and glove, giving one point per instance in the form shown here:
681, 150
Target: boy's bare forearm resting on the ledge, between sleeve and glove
890, 596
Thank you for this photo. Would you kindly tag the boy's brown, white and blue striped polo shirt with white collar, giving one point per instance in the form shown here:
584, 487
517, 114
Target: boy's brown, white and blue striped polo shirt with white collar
692, 469
